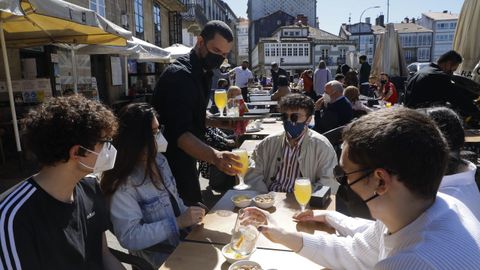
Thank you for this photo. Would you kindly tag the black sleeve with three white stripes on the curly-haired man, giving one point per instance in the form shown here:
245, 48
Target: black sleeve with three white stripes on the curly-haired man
14, 242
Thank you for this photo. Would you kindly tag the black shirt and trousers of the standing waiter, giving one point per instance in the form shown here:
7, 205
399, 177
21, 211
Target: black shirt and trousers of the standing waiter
181, 97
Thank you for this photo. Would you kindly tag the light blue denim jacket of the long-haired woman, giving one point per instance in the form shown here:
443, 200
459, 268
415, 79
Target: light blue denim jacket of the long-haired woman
142, 215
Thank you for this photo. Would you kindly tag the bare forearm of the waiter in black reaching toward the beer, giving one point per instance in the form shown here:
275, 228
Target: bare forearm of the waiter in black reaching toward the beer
196, 148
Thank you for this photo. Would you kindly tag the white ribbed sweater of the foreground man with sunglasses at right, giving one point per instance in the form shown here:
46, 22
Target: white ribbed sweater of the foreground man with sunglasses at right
446, 236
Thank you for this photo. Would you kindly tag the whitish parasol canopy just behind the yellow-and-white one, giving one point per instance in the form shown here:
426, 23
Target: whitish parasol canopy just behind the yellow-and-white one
135, 49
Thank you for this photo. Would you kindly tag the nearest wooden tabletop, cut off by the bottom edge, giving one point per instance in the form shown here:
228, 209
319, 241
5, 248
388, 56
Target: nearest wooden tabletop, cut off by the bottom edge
190, 255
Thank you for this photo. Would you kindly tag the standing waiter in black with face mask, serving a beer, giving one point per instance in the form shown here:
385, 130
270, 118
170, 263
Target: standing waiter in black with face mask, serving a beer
181, 97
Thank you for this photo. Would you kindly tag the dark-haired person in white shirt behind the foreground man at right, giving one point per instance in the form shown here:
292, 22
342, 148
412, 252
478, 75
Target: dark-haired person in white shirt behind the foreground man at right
459, 179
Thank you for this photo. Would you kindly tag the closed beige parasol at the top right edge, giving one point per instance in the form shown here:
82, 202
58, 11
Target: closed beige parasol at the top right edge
467, 39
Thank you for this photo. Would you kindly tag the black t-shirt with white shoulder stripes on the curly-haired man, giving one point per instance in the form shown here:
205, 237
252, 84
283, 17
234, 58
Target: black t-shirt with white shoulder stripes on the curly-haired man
39, 232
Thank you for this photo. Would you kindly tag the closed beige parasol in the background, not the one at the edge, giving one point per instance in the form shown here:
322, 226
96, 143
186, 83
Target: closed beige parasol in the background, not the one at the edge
389, 55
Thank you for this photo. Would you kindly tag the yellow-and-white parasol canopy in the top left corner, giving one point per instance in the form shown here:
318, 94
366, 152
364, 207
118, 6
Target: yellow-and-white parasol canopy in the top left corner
40, 22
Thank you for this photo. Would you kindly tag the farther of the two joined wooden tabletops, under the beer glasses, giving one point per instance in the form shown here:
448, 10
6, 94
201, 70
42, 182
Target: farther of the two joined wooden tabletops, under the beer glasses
220, 220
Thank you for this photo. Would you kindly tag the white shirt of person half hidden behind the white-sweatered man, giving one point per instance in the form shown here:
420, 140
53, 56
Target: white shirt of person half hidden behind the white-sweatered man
463, 187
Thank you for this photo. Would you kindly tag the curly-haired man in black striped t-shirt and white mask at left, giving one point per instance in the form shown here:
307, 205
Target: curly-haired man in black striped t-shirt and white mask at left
57, 218
